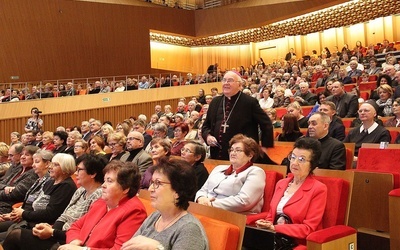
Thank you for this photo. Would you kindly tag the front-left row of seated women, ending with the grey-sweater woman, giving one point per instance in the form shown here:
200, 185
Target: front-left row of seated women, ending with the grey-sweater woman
104, 212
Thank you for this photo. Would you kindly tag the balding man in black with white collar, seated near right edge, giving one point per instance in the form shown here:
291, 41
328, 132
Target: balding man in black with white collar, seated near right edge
369, 131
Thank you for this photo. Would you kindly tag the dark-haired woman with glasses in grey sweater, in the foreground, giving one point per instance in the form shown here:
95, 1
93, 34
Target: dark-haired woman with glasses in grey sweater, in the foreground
170, 226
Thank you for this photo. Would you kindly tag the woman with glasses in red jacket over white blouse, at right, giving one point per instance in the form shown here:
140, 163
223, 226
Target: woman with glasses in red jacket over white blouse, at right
299, 201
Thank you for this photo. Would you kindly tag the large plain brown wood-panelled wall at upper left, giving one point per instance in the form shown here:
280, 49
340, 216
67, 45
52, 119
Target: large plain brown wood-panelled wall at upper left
47, 39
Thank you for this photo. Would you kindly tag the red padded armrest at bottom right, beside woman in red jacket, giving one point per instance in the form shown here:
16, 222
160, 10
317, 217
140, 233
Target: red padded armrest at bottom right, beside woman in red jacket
331, 233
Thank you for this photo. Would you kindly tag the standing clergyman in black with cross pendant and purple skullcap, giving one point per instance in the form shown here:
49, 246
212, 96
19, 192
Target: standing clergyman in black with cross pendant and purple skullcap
234, 113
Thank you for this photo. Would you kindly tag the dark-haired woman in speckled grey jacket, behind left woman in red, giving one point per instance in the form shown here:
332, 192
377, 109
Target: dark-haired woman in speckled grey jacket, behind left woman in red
89, 176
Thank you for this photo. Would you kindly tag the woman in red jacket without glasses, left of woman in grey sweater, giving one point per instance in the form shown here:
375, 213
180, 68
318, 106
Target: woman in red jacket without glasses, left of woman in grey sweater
115, 217
